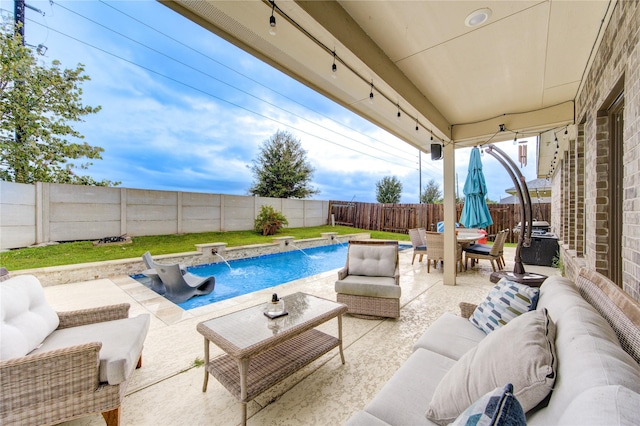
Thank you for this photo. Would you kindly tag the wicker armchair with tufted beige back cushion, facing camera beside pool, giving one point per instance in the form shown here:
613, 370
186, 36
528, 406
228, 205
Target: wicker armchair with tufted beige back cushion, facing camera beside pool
369, 283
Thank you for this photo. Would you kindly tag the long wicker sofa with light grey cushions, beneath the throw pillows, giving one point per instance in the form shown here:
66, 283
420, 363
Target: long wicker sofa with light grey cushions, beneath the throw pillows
595, 347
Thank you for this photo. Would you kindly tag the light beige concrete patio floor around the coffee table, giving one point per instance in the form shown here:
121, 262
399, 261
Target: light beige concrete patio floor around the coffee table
167, 389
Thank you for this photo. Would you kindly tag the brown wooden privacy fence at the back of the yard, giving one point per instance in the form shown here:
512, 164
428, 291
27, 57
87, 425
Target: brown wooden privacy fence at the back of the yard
402, 217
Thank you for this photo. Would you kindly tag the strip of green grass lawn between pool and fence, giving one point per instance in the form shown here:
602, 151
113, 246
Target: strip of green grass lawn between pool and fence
84, 251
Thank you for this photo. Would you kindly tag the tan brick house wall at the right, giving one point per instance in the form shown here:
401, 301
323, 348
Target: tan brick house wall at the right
585, 232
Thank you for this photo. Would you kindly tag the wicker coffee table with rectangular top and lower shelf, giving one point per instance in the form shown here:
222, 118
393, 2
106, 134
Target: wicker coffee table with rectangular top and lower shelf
260, 351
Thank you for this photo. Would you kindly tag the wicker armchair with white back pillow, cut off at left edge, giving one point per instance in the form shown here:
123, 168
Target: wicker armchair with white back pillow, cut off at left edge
57, 366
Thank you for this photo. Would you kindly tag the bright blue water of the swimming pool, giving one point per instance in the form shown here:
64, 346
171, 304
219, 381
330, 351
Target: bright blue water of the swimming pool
244, 276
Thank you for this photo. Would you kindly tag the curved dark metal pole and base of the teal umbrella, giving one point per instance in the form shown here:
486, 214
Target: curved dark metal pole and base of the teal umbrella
524, 238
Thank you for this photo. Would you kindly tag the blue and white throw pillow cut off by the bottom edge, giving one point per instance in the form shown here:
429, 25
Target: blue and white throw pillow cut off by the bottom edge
496, 408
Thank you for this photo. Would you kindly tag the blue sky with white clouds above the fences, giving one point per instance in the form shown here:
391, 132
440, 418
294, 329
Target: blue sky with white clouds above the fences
184, 110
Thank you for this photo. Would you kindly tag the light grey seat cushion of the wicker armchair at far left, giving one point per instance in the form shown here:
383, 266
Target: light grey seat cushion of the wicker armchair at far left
121, 340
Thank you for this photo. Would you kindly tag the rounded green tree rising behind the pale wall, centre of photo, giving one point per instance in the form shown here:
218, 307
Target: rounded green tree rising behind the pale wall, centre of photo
281, 170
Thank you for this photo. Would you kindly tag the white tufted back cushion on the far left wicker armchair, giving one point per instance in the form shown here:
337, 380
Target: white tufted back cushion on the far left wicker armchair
25, 317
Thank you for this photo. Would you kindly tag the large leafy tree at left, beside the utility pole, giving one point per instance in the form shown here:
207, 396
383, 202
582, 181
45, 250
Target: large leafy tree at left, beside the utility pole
36, 106
